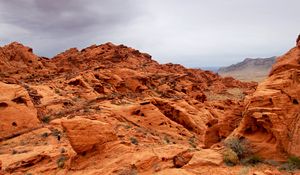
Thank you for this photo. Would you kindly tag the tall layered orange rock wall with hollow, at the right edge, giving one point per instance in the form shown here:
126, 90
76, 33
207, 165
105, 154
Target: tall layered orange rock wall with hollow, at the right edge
272, 117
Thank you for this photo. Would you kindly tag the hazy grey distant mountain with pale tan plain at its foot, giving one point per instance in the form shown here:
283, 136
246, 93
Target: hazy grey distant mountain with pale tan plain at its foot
251, 69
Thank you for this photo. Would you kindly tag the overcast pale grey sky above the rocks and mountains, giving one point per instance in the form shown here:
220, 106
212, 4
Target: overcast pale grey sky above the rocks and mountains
195, 33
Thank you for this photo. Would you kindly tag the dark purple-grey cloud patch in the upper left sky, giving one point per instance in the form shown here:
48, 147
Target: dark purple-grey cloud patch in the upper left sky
61, 18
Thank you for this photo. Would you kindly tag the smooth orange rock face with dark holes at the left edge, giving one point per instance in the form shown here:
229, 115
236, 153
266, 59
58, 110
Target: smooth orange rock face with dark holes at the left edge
17, 112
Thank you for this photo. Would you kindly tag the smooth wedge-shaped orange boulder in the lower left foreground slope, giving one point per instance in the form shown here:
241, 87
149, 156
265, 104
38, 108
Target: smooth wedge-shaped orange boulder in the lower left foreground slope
84, 134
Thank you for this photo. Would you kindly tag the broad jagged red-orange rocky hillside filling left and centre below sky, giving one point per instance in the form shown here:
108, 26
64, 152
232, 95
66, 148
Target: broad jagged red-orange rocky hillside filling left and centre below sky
110, 109
